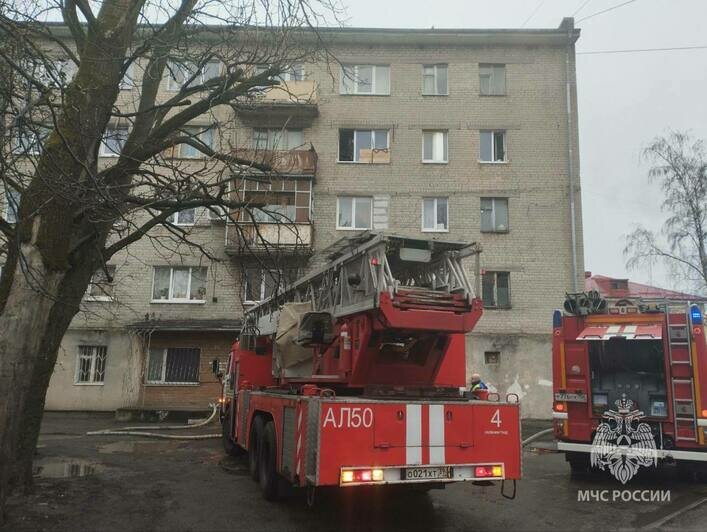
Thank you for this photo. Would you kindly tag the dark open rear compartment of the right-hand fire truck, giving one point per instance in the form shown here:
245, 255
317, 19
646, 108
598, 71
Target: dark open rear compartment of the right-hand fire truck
635, 368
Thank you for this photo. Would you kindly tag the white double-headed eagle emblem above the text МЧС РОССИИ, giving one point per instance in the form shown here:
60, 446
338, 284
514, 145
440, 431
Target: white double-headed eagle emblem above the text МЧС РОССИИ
622, 444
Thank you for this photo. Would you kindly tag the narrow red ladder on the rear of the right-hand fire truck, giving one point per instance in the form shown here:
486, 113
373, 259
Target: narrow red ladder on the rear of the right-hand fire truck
681, 375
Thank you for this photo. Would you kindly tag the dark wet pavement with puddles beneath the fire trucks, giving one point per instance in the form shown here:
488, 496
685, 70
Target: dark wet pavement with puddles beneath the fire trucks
131, 483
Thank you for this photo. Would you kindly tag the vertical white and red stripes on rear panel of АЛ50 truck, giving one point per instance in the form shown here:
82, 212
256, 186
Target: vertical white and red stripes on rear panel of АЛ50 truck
424, 434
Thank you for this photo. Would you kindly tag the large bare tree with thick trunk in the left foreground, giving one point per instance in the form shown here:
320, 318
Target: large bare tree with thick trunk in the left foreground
62, 107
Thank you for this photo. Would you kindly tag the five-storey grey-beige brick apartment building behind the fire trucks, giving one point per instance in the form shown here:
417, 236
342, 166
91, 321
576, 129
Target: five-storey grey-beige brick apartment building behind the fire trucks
460, 135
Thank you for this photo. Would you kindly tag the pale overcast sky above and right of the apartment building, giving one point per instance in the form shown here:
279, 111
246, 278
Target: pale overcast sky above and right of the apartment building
624, 99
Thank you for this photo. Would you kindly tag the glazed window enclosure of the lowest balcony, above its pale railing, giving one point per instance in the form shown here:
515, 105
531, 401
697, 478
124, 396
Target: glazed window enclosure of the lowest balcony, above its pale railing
285, 201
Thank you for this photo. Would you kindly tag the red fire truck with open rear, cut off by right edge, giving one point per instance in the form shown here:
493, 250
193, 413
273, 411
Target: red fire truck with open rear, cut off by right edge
649, 353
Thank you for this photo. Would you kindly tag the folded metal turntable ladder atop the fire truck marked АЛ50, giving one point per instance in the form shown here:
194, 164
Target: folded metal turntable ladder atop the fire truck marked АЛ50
417, 273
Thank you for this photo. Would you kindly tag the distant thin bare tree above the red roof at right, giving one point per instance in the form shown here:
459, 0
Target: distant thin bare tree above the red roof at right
680, 167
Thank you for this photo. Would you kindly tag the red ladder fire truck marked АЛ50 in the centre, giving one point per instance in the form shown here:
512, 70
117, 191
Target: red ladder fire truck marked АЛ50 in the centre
355, 375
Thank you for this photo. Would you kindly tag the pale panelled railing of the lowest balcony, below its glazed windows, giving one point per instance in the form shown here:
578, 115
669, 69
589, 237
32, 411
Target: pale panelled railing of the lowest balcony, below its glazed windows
268, 238
